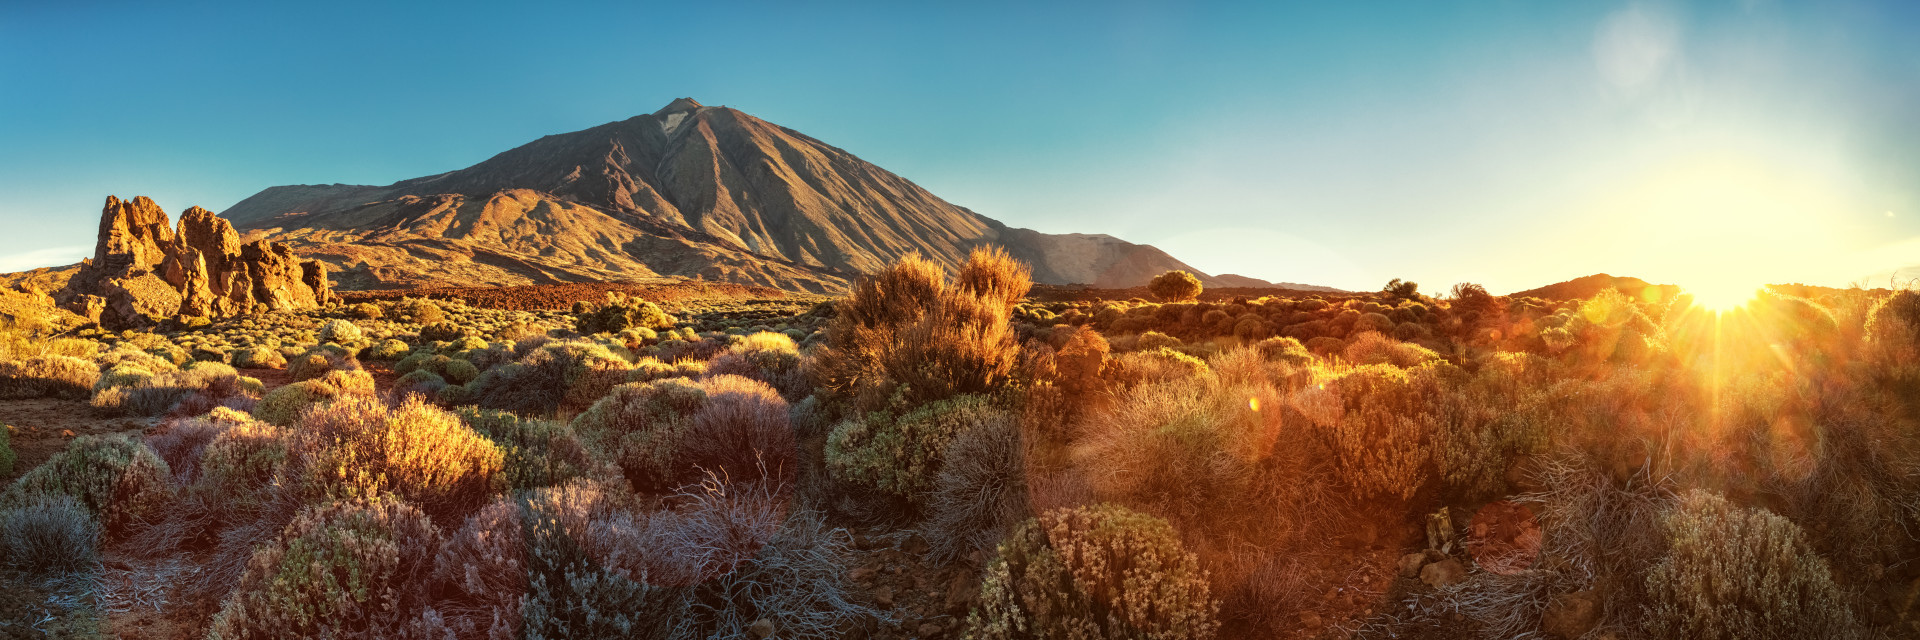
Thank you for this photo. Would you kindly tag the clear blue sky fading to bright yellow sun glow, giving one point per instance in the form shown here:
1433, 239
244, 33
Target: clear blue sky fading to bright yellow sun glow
1332, 143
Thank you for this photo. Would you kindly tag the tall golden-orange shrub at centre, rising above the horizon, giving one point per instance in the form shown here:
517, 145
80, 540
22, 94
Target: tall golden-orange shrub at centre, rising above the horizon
909, 330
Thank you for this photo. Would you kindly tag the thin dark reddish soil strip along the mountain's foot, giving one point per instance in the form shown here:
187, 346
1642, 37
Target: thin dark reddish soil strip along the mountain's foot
564, 297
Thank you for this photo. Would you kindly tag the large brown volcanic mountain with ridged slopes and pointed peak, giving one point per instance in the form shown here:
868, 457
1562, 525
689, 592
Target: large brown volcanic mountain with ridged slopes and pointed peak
688, 191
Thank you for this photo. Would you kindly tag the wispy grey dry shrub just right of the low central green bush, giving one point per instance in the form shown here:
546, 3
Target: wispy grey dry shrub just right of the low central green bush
982, 489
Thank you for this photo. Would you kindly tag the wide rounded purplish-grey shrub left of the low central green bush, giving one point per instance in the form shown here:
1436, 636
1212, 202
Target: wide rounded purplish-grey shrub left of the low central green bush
665, 433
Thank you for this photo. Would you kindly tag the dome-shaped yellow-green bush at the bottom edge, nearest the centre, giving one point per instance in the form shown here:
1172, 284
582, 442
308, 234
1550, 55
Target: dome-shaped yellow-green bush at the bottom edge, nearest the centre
1095, 572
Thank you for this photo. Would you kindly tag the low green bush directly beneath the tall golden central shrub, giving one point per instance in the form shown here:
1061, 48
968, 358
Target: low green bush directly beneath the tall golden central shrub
901, 455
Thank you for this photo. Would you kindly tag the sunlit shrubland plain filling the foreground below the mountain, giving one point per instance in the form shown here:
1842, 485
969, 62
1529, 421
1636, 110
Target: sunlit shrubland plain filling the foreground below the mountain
1197, 466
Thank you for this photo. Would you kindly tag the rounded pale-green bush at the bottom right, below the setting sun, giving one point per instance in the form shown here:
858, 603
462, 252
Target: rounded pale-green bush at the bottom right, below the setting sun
1742, 574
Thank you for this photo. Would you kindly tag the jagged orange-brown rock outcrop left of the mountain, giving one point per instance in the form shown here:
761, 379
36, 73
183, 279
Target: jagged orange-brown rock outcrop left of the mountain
147, 270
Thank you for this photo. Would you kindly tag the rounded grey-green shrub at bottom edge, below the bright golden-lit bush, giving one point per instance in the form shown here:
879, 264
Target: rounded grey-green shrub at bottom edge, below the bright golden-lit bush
347, 570
